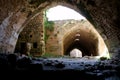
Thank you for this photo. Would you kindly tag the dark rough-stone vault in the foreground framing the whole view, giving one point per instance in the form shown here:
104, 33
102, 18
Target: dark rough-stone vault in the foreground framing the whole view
15, 14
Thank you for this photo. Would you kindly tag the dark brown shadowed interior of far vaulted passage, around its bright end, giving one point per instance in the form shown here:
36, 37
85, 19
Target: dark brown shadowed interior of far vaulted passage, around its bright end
84, 42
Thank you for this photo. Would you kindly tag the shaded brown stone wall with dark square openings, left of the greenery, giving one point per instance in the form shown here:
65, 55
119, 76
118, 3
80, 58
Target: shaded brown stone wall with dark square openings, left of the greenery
32, 33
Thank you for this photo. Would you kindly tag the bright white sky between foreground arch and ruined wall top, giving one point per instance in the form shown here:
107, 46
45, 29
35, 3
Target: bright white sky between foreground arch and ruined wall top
62, 13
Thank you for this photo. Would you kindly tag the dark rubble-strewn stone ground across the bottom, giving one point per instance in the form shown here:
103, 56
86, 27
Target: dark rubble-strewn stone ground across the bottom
86, 68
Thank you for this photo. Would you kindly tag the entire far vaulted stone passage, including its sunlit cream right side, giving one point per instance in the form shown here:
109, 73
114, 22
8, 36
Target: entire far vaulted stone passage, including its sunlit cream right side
86, 39
